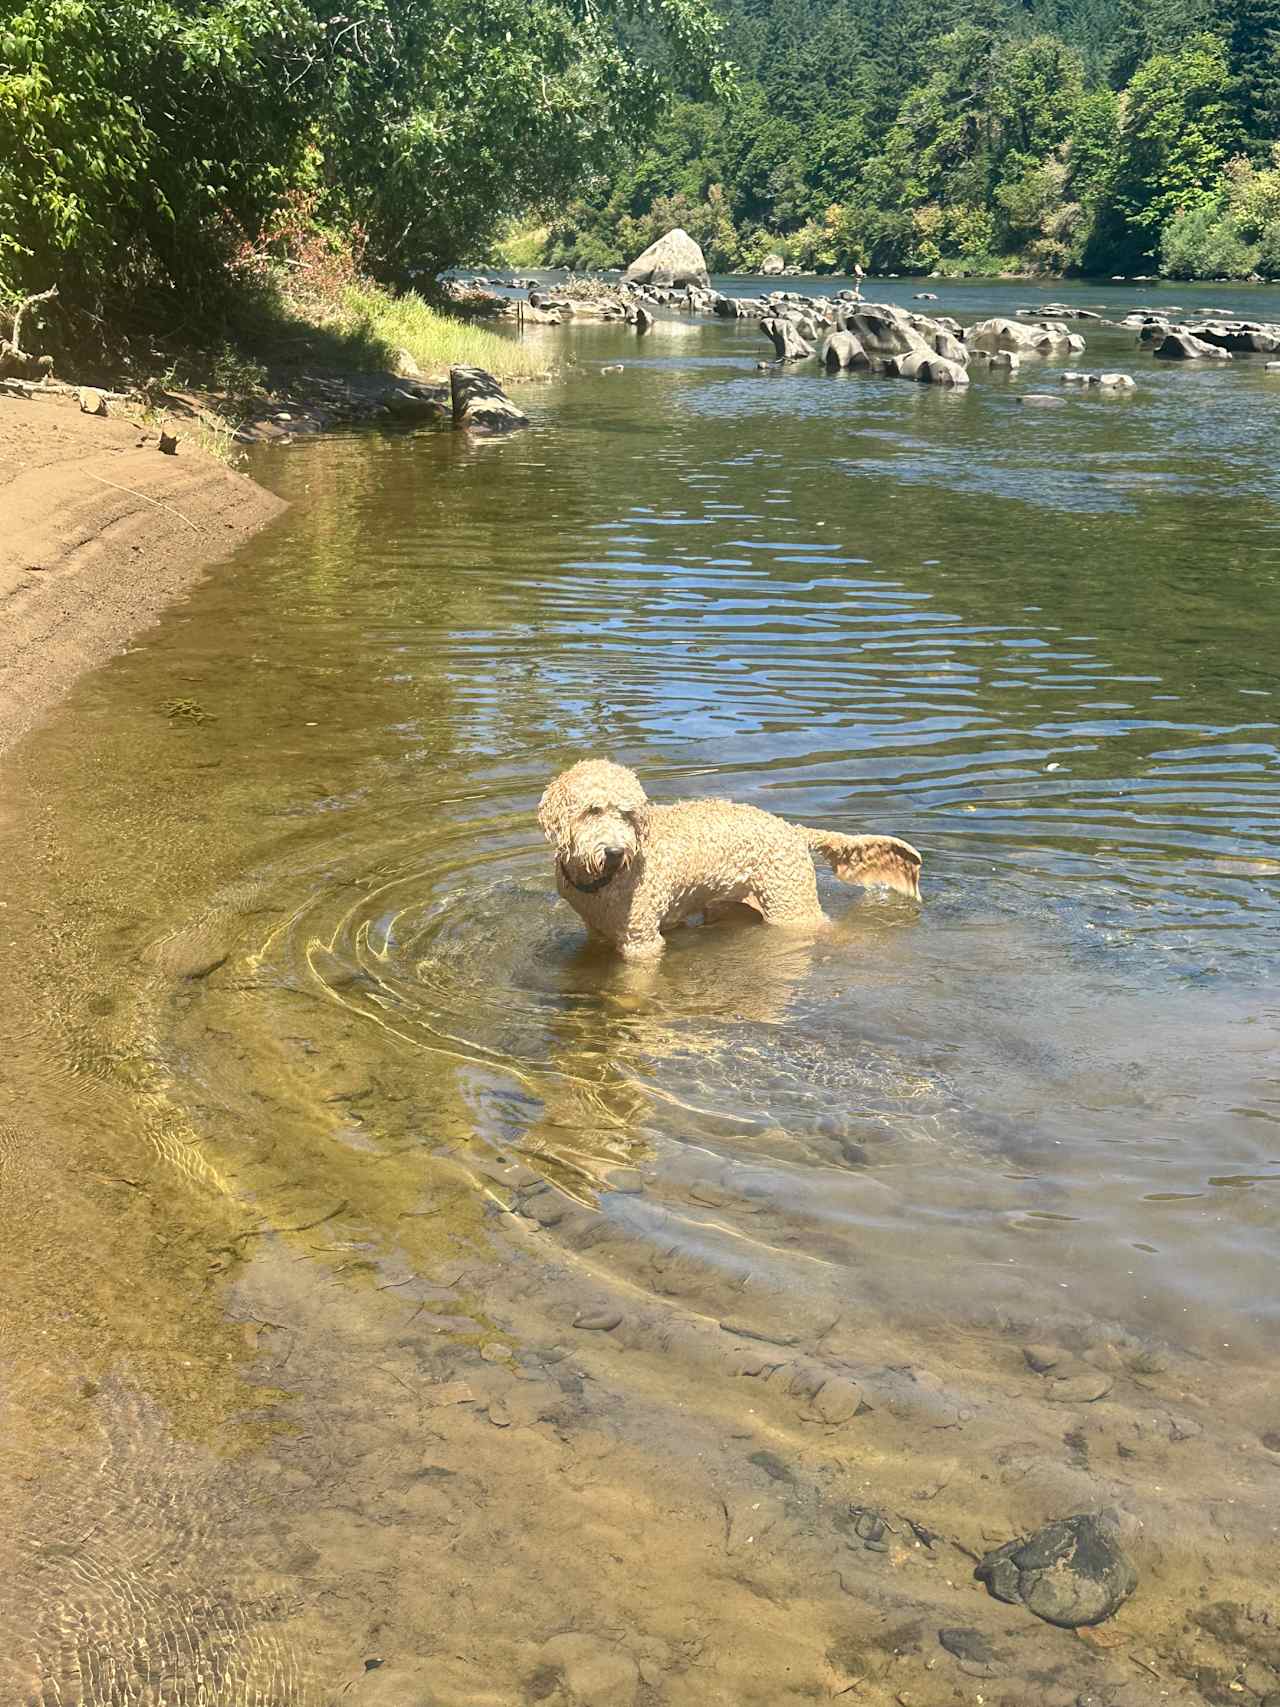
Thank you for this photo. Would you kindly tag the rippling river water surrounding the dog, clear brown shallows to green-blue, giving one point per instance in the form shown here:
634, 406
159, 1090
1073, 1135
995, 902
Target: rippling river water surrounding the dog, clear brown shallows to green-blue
414, 1305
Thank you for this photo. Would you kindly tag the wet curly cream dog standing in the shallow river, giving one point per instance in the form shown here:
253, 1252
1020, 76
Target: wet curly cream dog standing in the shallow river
632, 870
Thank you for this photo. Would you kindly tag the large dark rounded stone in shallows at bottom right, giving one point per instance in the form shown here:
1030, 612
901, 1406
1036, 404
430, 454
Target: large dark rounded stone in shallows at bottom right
1071, 1573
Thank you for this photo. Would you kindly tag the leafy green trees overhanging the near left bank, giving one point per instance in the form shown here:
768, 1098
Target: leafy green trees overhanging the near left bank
149, 144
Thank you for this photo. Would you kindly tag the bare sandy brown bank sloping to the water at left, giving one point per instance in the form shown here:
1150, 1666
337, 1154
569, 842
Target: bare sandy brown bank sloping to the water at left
100, 533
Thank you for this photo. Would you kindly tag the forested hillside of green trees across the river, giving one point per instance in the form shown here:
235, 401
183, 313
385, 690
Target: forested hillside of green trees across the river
969, 136
